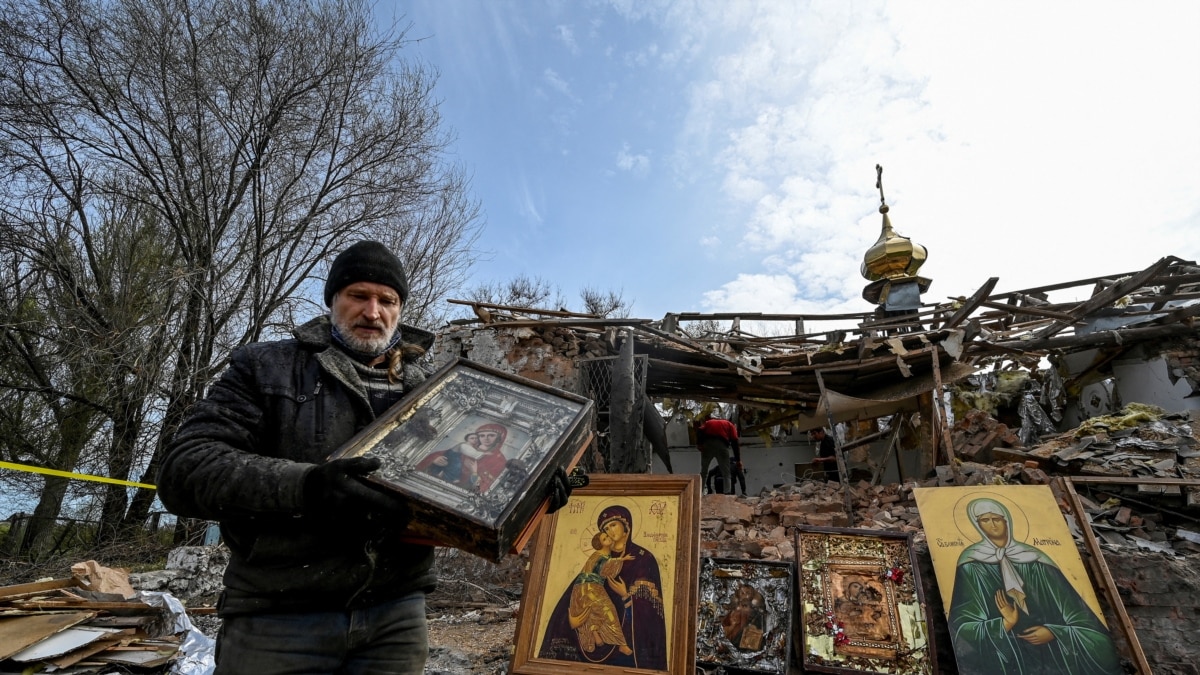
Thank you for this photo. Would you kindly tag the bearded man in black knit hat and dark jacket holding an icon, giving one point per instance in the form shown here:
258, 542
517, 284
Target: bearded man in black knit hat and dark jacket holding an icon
321, 577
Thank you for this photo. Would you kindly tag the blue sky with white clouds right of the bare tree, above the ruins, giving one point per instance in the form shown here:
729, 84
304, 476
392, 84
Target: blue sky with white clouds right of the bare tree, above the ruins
721, 156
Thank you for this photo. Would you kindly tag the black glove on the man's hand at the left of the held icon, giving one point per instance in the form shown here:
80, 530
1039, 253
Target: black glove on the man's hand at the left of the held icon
337, 489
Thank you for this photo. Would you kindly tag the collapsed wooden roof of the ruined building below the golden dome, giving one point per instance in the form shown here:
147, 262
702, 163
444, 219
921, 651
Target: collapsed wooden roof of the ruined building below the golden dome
885, 357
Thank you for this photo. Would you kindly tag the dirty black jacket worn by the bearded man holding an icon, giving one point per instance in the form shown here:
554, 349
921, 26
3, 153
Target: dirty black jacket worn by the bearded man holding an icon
242, 458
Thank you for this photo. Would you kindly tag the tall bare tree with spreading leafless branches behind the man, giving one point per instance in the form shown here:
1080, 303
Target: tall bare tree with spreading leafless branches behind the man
255, 140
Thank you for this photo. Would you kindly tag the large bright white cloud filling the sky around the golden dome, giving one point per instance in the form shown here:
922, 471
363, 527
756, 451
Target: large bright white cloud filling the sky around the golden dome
1034, 142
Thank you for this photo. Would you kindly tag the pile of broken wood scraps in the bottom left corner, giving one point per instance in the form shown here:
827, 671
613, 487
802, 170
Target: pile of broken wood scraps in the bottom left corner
59, 626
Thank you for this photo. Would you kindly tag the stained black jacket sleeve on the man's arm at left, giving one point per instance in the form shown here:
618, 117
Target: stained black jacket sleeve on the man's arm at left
217, 468
